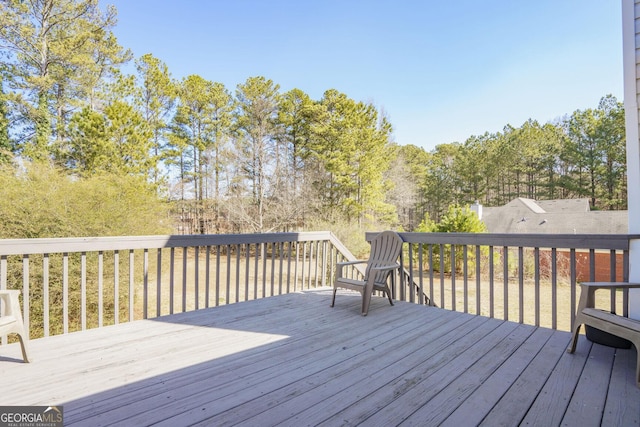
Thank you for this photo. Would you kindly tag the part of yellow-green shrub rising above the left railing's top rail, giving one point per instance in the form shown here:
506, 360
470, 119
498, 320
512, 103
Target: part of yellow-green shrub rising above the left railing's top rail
46, 202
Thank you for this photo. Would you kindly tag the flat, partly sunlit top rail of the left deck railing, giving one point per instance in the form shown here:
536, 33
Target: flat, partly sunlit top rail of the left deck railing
93, 244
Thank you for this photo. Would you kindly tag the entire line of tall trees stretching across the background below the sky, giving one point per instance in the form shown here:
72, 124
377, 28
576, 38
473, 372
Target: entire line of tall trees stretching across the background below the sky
257, 158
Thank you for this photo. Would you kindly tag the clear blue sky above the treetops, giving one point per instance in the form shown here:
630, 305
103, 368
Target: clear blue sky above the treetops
440, 70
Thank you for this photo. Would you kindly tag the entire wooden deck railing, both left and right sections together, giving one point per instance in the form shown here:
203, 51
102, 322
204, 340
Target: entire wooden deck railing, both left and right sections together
74, 284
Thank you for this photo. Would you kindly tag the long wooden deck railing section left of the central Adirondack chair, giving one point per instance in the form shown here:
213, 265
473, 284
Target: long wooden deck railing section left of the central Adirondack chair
71, 284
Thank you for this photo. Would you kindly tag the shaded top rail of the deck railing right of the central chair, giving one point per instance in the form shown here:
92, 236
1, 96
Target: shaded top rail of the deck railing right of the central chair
568, 241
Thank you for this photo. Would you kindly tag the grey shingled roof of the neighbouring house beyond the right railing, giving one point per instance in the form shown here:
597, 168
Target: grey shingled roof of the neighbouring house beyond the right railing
565, 216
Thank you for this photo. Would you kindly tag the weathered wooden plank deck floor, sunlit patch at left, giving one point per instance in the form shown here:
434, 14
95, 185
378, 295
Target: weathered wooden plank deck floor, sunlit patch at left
293, 360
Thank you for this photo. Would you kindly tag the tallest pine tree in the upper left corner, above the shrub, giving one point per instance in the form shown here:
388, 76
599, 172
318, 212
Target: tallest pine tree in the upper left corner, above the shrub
57, 51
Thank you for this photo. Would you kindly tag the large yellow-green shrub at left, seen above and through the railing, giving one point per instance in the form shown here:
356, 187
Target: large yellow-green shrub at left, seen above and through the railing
41, 201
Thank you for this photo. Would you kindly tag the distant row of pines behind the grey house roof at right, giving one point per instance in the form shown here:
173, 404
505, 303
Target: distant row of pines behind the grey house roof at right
580, 155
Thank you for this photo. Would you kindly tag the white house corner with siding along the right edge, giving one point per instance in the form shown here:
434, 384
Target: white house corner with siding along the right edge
631, 58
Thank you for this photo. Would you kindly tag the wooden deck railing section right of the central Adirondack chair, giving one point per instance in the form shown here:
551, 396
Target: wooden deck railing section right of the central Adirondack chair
527, 278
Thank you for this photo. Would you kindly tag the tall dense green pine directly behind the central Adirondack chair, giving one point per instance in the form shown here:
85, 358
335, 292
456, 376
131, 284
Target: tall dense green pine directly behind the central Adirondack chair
352, 145
